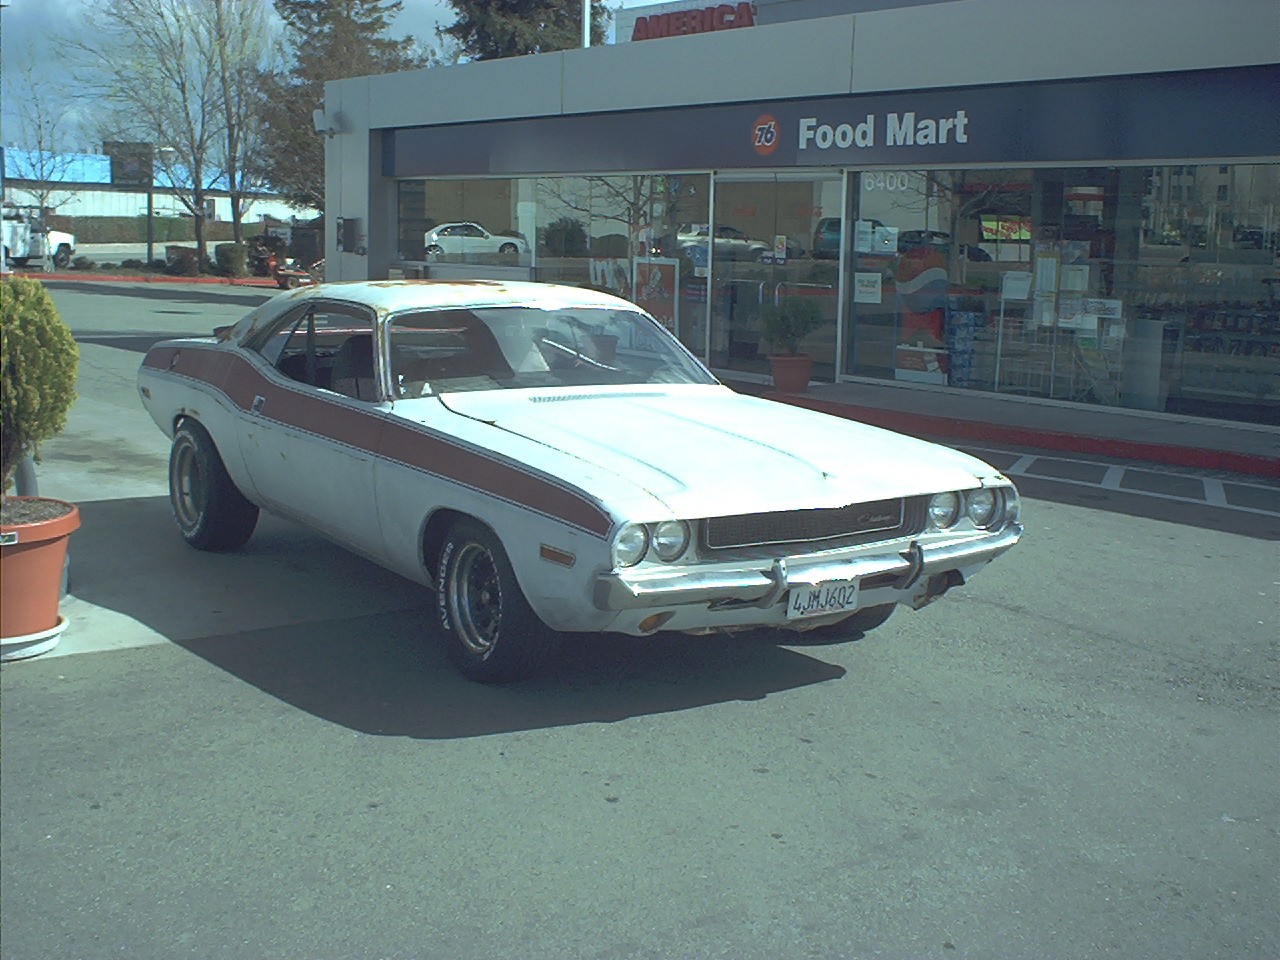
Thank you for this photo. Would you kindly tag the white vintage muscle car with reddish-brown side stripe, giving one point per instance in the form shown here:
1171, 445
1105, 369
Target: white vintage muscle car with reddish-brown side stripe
550, 459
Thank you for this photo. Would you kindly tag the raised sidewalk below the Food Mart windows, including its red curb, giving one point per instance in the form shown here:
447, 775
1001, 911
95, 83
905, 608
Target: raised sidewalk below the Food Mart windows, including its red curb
1050, 426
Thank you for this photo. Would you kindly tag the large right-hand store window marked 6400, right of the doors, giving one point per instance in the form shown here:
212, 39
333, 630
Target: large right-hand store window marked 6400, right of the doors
1151, 289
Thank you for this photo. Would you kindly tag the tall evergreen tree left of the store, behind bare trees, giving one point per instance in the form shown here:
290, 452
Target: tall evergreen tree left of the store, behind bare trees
328, 40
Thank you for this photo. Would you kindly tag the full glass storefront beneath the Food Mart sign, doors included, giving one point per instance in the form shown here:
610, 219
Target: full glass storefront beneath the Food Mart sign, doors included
1148, 287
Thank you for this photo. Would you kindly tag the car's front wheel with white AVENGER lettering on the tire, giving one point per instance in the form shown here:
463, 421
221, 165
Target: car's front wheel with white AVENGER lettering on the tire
491, 632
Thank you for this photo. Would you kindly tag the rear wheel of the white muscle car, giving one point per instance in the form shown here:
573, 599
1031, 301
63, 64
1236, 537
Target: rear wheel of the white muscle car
211, 513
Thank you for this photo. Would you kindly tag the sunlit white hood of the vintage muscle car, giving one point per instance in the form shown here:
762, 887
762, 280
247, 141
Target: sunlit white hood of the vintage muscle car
707, 451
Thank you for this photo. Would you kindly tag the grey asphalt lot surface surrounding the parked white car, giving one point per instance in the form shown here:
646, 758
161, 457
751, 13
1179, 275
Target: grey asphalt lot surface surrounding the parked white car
266, 755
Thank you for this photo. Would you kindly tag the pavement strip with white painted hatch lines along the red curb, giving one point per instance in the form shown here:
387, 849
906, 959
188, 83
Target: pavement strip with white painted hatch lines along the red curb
1146, 481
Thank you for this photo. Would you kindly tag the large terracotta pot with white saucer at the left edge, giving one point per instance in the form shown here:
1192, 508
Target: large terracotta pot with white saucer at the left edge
31, 574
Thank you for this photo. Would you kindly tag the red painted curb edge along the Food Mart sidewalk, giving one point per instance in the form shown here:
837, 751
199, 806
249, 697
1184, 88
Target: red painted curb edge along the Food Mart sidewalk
929, 426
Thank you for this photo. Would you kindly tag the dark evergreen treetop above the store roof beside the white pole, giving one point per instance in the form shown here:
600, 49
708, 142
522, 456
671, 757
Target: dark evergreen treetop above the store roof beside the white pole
490, 30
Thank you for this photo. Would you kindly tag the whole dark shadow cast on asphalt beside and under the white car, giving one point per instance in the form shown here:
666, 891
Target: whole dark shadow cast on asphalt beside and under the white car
335, 636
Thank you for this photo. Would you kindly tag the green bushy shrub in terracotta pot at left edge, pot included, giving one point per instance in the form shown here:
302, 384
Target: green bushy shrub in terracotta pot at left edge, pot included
38, 387
